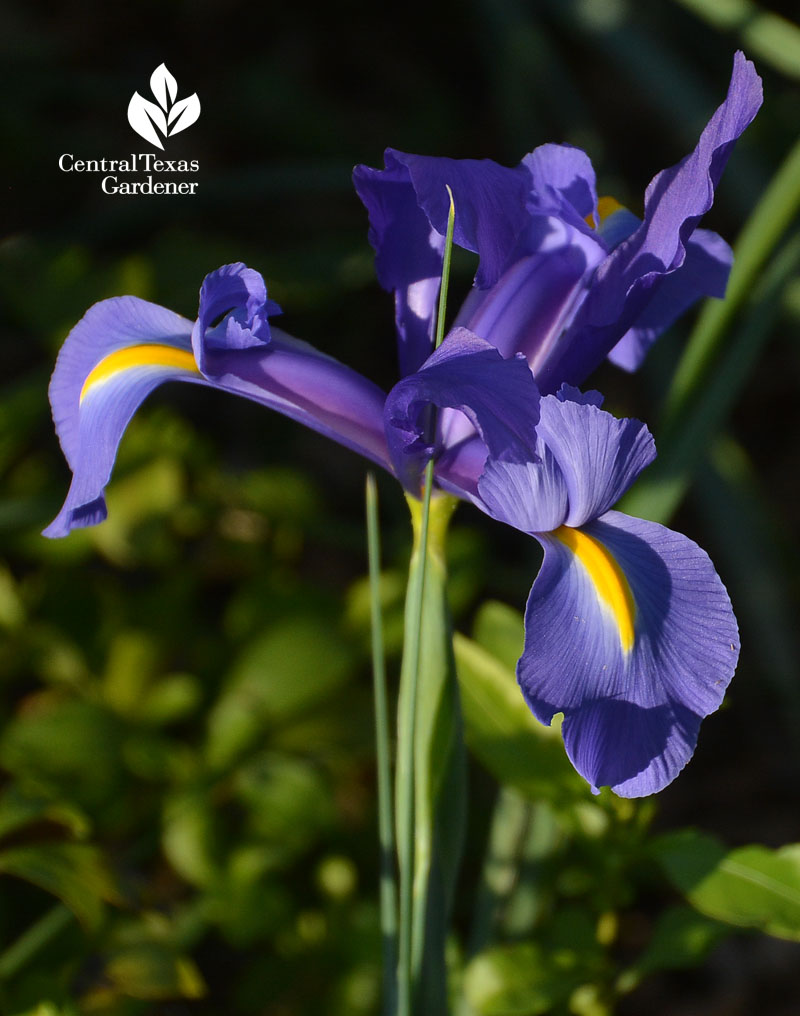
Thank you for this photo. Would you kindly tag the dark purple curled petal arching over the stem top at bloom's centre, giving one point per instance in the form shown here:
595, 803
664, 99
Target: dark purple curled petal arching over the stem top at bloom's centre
466, 373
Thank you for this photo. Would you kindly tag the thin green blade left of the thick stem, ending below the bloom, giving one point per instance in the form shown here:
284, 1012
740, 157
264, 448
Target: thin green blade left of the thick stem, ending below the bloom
389, 890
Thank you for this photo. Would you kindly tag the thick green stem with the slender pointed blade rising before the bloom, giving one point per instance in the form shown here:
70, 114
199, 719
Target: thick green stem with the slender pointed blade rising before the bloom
429, 741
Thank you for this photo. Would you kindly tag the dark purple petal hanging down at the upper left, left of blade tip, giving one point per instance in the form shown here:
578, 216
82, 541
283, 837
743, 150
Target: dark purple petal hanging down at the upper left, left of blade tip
408, 256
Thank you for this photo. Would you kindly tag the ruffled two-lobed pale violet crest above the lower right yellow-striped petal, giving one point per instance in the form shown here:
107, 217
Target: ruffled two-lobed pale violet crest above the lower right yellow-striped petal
586, 462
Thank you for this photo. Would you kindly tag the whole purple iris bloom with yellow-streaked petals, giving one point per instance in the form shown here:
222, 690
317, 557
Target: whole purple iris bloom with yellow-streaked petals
630, 632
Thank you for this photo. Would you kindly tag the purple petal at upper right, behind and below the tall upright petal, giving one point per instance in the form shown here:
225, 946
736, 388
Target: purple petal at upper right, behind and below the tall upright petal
704, 274
